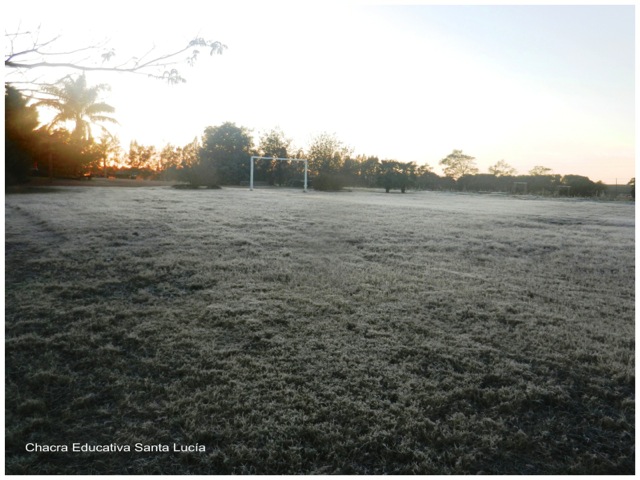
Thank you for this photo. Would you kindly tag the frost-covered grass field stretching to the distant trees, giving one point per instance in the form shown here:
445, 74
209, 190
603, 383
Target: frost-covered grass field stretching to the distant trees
347, 333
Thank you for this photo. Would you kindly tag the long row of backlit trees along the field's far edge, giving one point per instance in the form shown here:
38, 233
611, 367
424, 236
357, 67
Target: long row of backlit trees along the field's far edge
221, 157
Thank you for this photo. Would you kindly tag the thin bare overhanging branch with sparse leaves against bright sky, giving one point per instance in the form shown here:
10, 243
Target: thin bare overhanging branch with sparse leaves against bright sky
27, 56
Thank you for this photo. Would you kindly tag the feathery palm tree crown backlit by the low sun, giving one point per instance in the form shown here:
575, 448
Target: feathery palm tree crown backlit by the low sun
77, 103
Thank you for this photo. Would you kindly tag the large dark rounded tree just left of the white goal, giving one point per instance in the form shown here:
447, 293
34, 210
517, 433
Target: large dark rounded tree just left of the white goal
225, 154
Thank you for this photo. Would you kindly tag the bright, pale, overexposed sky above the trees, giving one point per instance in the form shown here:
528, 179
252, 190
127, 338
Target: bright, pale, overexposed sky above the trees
532, 85
